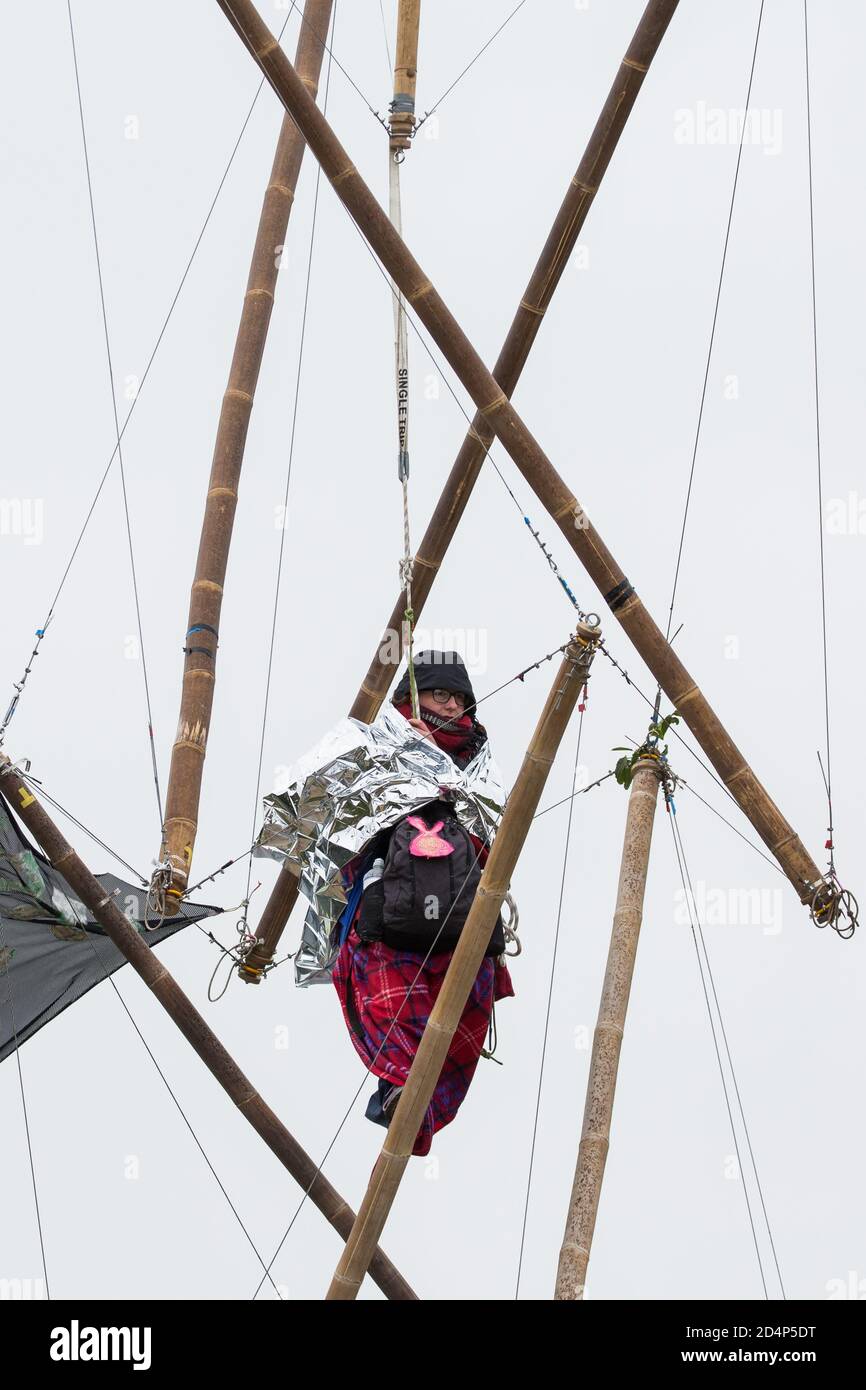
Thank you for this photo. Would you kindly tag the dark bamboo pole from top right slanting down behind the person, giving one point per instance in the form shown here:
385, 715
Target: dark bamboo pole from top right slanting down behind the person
509, 366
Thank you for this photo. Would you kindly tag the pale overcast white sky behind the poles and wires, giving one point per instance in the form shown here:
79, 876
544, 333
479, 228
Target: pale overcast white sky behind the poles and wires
612, 391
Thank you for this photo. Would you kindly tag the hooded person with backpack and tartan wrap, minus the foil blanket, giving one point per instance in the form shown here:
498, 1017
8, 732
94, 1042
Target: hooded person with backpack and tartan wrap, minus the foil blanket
418, 881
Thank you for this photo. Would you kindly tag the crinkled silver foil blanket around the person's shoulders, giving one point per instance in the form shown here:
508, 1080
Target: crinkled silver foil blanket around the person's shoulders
358, 780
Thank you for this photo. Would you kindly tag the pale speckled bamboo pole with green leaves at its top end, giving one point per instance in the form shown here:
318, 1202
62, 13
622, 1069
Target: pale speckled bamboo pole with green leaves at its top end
608, 1040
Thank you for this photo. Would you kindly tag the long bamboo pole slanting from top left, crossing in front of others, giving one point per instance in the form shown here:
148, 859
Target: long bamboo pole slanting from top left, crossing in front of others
528, 454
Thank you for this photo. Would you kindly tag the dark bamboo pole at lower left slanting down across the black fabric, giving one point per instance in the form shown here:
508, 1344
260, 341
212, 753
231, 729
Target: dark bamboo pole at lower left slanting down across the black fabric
188, 1020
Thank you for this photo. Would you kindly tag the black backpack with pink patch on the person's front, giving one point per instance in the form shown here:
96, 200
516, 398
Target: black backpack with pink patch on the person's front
429, 885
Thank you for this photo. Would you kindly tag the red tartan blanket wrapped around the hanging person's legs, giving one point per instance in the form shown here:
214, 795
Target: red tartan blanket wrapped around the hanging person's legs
379, 986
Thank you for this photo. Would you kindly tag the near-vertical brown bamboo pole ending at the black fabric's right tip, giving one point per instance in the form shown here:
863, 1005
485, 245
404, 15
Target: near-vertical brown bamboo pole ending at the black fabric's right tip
206, 596
